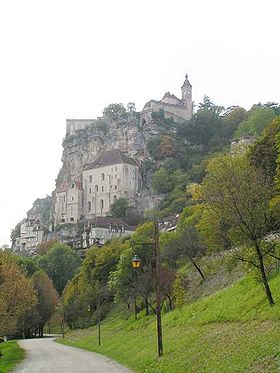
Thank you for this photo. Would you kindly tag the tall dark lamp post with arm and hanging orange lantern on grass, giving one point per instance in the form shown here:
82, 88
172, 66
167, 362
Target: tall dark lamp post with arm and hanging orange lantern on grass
136, 263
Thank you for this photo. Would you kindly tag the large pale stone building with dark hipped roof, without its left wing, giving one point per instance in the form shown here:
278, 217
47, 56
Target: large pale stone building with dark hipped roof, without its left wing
112, 175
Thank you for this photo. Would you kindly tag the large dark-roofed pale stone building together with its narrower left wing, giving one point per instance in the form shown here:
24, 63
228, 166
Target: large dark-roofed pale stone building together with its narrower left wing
110, 176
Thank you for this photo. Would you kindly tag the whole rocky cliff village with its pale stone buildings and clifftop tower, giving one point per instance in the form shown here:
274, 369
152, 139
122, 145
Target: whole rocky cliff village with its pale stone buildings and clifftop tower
103, 161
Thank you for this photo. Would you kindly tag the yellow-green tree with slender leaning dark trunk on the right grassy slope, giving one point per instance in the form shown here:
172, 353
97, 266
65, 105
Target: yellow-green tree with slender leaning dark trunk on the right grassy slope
236, 203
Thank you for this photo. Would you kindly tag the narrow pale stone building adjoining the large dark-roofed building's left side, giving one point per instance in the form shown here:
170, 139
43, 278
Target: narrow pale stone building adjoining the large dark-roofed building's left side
69, 203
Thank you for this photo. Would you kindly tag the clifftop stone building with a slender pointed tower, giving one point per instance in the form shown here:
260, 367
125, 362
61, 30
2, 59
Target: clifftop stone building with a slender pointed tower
173, 107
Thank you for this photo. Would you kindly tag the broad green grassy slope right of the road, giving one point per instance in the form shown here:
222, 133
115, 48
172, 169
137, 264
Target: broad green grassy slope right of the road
233, 330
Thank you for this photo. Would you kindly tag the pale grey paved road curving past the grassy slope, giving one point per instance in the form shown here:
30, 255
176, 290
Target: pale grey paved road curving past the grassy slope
47, 356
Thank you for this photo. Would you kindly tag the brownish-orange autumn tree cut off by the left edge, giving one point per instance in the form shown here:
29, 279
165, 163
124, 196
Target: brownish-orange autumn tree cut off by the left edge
17, 295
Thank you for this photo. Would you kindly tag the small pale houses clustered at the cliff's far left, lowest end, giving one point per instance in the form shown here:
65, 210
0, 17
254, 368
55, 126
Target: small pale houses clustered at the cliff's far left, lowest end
31, 235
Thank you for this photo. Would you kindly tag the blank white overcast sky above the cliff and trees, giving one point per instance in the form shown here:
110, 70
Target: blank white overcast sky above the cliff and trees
69, 59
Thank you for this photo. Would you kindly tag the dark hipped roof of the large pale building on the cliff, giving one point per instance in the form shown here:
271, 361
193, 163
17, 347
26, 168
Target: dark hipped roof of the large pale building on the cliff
109, 158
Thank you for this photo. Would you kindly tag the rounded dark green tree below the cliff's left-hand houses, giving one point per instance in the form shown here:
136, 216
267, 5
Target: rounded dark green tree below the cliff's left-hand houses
60, 263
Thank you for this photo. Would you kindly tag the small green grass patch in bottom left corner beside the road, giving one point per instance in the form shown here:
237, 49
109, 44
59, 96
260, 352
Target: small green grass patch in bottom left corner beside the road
12, 354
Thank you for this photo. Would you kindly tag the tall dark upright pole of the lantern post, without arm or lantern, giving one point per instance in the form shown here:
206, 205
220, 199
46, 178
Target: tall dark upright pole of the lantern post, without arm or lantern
158, 289
